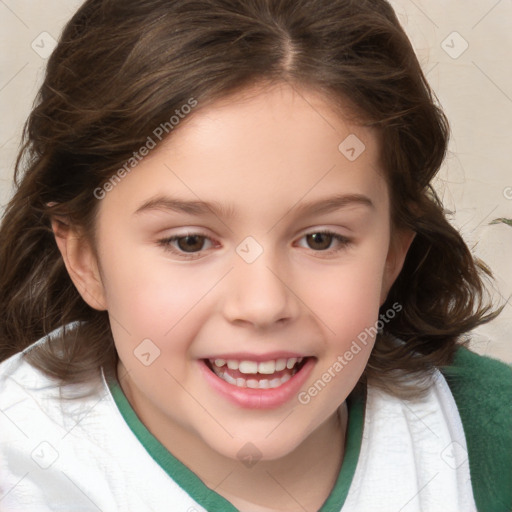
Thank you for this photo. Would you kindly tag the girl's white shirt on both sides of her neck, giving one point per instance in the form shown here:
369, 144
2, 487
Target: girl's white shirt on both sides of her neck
63, 454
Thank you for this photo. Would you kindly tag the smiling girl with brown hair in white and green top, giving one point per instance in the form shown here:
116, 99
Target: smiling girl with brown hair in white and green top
245, 293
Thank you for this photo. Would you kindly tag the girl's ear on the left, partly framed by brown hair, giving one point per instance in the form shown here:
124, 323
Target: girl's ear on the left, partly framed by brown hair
81, 263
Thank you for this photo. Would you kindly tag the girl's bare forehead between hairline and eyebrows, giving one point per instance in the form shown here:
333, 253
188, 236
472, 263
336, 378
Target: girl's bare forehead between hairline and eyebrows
261, 149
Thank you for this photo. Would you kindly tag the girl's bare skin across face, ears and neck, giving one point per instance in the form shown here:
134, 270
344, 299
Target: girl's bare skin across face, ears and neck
264, 153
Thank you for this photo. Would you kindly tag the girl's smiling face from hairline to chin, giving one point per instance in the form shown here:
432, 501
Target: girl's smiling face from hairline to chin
250, 237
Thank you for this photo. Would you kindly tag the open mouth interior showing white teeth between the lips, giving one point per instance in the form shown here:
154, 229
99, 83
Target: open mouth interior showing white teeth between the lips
256, 375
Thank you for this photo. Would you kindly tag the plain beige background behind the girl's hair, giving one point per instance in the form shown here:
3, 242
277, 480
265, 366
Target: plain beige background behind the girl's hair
464, 47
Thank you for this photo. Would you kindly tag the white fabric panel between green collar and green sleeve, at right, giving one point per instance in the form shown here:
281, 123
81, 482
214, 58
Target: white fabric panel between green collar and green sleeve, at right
414, 456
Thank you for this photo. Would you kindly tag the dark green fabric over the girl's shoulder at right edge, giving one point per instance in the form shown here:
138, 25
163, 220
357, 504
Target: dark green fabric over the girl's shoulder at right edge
482, 389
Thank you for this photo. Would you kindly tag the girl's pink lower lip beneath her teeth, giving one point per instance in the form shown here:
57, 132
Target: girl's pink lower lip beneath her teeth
258, 398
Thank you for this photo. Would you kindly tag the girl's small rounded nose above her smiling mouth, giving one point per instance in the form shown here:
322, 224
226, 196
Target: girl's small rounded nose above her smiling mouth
258, 294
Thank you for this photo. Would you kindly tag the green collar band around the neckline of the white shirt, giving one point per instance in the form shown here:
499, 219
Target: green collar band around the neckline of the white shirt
214, 502
